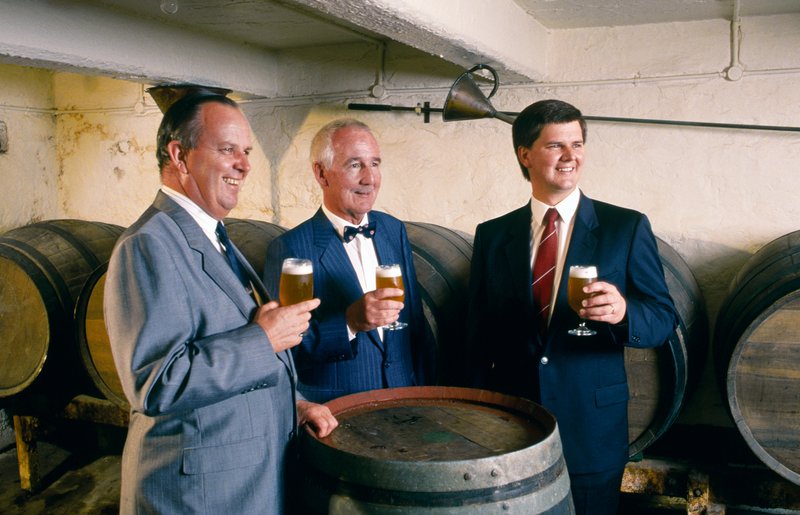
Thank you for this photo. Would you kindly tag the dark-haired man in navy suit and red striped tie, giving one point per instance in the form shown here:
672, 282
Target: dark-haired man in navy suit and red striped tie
518, 350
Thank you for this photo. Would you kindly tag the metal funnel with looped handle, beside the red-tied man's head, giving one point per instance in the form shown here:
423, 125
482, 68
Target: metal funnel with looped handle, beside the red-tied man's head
466, 101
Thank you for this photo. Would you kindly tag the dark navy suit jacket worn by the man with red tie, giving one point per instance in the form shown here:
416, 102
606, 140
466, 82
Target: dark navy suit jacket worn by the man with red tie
581, 380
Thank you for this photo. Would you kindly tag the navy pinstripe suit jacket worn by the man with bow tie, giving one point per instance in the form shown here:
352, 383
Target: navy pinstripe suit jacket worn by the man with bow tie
328, 364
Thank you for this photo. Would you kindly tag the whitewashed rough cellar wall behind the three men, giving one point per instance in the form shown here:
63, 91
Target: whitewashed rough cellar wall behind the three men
715, 195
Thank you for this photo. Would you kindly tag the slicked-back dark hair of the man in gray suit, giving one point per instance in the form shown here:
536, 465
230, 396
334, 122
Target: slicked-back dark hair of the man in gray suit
181, 122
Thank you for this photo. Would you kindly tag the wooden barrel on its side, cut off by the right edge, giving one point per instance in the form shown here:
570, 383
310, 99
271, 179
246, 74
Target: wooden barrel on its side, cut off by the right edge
757, 351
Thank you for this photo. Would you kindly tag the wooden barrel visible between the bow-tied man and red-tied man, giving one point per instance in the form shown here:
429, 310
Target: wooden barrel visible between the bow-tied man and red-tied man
442, 260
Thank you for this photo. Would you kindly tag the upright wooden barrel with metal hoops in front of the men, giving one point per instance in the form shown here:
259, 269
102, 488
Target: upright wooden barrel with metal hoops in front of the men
430, 450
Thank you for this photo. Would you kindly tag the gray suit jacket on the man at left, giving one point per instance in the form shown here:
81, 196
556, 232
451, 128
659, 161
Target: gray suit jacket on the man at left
212, 405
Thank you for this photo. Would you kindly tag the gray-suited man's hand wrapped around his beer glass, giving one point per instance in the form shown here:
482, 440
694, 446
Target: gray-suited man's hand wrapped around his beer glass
283, 325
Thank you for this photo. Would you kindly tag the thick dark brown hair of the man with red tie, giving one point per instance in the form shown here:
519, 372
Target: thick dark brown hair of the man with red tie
529, 124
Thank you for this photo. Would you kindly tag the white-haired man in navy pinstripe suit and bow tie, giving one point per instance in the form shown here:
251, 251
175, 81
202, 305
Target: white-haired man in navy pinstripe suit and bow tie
345, 349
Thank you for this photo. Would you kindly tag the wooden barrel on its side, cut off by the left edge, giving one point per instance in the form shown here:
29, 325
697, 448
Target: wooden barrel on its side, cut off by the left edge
43, 267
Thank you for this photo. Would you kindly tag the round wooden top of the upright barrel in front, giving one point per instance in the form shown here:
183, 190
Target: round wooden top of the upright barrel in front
434, 424
